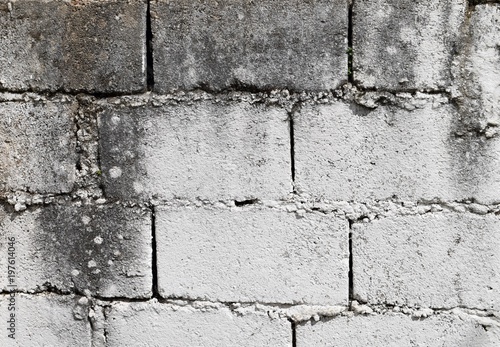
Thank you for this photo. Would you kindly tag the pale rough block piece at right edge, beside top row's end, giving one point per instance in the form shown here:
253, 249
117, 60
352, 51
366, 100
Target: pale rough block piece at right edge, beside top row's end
477, 71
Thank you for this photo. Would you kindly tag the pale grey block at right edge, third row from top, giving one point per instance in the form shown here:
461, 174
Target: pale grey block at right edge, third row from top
438, 260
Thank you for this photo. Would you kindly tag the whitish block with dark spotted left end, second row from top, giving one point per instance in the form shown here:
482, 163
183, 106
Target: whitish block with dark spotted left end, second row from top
206, 149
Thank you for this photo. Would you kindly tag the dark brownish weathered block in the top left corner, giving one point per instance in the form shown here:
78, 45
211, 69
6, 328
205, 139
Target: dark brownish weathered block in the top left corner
89, 45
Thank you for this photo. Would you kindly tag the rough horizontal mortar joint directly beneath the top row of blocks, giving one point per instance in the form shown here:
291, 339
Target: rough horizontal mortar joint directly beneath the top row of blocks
269, 93
